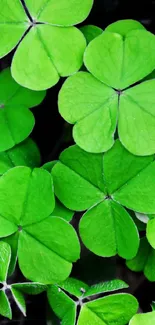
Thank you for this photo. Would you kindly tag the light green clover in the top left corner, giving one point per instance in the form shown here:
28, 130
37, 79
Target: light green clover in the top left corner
49, 44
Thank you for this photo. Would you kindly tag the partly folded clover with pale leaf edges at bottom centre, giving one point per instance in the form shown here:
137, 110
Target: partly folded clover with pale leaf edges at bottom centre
113, 309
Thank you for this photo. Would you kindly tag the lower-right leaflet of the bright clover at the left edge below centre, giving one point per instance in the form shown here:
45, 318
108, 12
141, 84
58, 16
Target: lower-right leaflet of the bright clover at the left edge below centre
54, 243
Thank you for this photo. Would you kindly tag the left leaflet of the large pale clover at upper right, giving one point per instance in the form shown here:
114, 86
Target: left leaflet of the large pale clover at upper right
85, 102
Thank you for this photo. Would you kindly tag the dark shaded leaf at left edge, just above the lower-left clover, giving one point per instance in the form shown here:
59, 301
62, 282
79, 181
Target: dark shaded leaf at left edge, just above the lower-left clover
24, 154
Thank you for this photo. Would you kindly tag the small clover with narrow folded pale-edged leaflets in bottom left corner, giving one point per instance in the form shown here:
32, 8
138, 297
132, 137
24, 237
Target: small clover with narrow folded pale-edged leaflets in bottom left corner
16, 289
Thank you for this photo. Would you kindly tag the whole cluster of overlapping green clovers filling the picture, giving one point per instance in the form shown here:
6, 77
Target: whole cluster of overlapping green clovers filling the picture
107, 175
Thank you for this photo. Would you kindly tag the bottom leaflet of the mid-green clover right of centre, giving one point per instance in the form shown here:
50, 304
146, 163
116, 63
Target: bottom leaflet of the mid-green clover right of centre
112, 237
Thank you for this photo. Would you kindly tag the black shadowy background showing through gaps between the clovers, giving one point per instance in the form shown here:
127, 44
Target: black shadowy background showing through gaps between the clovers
52, 135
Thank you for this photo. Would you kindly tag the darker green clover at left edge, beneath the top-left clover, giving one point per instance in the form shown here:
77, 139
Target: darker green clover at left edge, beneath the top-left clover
16, 120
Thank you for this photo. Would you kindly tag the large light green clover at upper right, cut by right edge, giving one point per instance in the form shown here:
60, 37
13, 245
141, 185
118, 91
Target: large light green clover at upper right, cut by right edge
99, 101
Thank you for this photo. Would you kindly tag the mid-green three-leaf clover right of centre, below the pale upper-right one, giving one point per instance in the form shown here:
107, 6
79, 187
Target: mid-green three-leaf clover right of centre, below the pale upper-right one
102, 184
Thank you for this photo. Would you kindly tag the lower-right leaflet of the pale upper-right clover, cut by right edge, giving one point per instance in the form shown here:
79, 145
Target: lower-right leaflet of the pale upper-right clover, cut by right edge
138, 104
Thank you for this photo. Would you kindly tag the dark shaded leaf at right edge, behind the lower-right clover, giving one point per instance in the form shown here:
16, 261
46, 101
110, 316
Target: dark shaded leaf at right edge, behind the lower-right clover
144, 260
